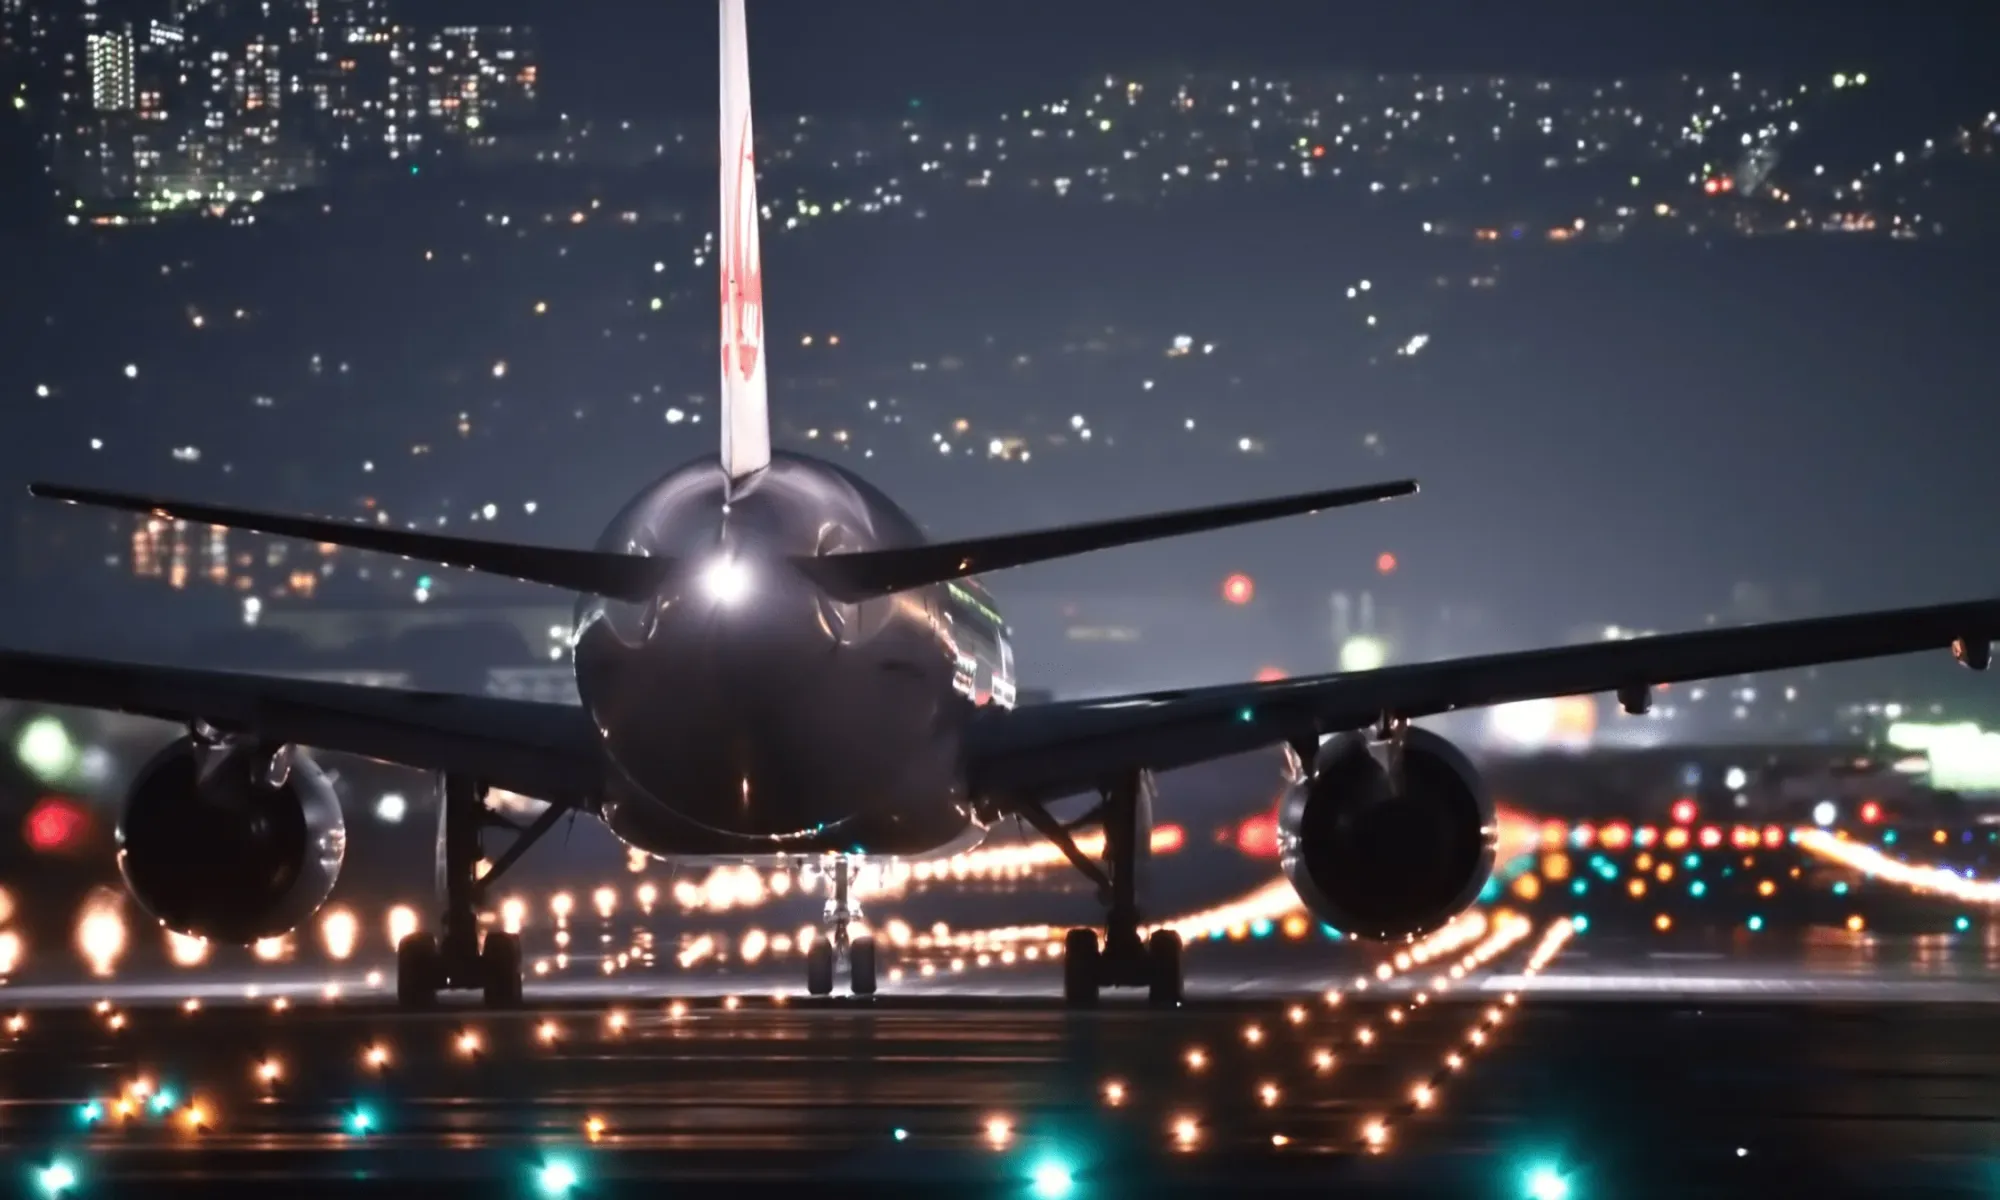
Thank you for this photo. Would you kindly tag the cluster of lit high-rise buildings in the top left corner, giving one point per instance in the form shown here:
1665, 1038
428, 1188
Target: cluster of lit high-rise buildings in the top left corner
213, 107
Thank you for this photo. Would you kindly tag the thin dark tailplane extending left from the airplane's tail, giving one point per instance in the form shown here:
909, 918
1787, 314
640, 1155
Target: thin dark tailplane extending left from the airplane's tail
623, 577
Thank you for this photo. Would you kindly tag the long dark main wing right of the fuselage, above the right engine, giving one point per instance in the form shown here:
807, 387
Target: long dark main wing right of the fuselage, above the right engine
1059, 749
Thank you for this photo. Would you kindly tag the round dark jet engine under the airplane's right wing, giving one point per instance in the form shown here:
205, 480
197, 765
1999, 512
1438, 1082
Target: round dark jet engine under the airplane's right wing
1379, 861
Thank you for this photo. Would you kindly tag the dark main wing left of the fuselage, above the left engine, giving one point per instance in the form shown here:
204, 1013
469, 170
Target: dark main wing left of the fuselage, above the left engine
543, 751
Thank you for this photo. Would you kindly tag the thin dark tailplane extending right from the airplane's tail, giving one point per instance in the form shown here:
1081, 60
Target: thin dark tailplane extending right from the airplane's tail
881, 573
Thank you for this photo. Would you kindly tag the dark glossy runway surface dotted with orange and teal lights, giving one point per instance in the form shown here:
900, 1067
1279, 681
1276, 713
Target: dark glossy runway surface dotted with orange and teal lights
1511, 1063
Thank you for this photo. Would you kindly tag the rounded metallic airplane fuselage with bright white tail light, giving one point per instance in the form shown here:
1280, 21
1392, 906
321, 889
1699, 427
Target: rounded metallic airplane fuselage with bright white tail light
747, 713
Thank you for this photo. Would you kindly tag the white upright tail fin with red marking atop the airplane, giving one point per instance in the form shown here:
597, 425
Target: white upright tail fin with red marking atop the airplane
745, 397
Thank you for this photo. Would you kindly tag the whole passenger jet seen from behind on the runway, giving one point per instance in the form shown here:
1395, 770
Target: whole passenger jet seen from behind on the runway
775, 665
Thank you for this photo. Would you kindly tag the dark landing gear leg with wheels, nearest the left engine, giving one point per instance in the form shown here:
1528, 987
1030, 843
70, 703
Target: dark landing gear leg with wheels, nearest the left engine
457, 959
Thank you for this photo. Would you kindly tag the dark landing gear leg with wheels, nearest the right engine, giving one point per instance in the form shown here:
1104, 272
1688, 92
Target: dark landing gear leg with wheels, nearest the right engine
1121, 961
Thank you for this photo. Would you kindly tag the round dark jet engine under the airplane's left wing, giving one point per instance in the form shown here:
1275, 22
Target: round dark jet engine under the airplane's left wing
231, 843
